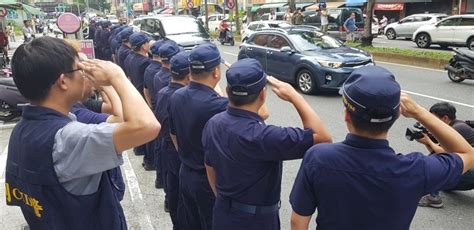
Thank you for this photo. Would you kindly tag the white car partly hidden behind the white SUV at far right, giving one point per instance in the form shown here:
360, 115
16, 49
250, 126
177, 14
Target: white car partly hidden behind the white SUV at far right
408, 25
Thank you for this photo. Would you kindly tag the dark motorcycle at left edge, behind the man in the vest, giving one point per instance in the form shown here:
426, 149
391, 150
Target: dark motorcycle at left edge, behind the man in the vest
11, 100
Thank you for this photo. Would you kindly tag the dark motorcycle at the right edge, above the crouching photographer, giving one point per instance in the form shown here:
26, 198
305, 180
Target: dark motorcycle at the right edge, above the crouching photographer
461, 66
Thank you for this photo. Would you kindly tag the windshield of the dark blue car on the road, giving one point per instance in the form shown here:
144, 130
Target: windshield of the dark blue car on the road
308, 40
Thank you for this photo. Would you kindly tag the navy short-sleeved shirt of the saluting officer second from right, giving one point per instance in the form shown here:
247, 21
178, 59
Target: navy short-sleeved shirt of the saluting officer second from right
247, 155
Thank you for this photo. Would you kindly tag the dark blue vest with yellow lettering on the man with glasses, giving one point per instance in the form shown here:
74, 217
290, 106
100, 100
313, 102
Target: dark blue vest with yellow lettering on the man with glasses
32, 184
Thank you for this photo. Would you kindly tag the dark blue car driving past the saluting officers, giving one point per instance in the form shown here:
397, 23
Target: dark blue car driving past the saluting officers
304, 56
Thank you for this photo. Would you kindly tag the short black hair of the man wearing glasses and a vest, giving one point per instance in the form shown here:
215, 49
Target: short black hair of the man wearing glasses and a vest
37, 65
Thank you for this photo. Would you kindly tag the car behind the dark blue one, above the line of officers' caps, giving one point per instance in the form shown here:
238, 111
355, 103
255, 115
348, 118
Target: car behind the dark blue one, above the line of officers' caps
184, 30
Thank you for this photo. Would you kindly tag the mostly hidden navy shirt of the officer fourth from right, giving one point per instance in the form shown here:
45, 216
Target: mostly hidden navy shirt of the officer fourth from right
161, 111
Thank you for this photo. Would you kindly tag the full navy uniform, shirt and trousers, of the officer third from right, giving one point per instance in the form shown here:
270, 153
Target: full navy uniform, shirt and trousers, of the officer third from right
191, 107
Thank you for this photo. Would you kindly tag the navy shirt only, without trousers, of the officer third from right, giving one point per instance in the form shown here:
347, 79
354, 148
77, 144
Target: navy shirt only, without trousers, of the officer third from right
190, 108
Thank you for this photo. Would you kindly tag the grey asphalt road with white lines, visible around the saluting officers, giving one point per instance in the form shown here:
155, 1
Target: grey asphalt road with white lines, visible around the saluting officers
143, 204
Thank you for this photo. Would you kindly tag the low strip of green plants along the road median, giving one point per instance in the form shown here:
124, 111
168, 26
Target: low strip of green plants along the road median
407, 52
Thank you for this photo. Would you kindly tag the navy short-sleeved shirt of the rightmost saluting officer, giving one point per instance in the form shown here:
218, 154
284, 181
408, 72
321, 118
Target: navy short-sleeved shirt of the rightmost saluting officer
363, 184
